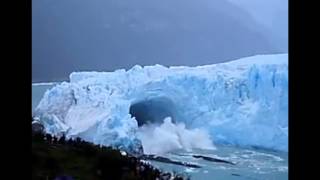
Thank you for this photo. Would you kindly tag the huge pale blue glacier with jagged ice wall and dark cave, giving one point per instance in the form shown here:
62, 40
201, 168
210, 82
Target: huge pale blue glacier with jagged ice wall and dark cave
242, 102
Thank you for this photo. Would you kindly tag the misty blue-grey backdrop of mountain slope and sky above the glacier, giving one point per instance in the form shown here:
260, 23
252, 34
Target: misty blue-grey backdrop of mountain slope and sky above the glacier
104, 35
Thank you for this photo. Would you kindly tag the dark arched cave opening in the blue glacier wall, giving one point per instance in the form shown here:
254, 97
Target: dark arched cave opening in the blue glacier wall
153, 110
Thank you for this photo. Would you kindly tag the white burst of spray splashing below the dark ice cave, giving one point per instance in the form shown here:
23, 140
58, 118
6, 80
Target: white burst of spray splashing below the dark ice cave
160, 139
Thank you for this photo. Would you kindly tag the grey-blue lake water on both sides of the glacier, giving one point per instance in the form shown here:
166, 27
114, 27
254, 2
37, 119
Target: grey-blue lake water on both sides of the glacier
251, 164
